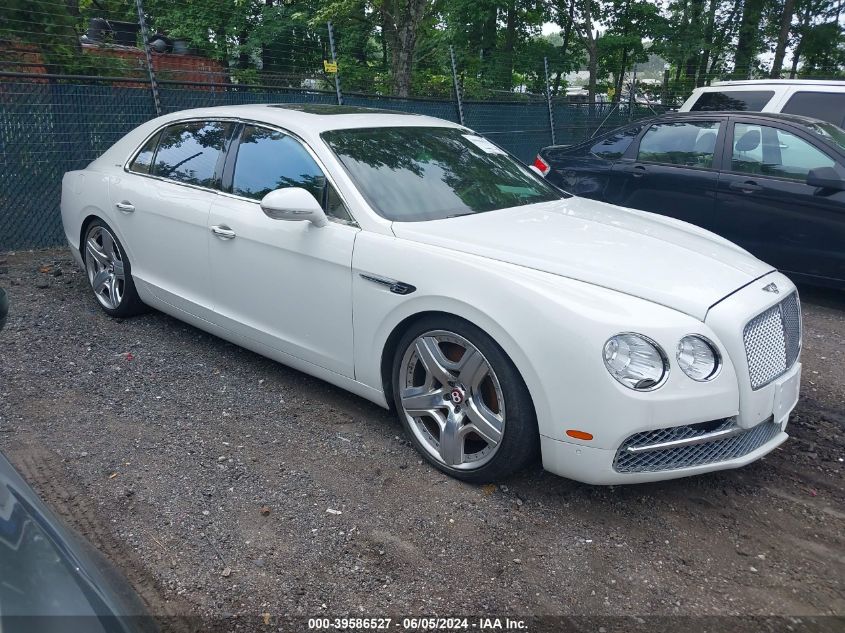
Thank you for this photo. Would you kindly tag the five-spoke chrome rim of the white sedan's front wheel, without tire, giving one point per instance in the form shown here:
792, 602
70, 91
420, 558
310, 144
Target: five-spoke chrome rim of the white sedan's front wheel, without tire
452, 400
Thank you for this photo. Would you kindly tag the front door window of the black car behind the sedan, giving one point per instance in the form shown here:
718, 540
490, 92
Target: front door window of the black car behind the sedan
768, 151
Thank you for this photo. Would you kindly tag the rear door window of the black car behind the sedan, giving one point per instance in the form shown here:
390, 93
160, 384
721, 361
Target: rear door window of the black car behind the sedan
680, 143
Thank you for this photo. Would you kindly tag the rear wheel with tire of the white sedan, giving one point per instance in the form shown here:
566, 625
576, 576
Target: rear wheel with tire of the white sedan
109, 272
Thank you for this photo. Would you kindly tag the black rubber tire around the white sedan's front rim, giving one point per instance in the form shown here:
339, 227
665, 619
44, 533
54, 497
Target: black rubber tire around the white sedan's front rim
520, 441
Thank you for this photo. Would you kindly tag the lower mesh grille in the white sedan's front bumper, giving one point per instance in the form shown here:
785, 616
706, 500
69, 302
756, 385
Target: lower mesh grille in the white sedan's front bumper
717, 450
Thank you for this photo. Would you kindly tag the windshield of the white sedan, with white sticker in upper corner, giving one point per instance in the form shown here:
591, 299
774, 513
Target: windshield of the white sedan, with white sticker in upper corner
410, 174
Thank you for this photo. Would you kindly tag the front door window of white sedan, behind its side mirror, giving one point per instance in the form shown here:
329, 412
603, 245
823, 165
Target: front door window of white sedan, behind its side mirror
268, 160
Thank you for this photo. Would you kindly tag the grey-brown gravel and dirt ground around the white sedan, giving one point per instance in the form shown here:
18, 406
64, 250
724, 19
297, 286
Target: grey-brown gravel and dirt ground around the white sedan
162, 444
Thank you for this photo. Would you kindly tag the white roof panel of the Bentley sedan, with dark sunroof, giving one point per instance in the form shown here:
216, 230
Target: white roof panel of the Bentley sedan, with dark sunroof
313, 118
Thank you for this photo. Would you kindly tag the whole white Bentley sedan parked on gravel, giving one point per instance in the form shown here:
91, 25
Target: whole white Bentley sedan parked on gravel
416, 264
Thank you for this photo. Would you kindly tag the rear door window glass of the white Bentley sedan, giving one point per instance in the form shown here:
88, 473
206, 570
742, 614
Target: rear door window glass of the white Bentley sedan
188, 152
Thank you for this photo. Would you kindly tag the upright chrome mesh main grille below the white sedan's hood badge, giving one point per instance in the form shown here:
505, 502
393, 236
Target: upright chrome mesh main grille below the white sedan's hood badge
772, 341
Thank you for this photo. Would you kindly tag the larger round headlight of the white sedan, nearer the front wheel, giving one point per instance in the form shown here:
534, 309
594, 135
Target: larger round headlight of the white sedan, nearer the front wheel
636, 361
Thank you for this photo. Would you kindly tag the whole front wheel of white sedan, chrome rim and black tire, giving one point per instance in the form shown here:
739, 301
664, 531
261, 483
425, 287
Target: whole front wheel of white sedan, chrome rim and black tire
463, 401
